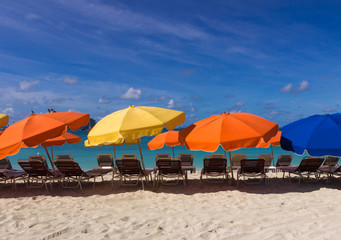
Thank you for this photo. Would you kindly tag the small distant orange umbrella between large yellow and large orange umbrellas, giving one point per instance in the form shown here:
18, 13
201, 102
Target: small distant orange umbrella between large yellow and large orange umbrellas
170, 139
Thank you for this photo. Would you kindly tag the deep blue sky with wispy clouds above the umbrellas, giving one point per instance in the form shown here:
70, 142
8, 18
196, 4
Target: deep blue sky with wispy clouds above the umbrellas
277, 59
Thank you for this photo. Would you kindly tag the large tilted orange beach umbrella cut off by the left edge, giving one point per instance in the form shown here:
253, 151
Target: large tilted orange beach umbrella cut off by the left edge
37, 128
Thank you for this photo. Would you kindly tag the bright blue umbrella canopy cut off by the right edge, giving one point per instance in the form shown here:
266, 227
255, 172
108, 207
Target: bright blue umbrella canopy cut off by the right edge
319, 135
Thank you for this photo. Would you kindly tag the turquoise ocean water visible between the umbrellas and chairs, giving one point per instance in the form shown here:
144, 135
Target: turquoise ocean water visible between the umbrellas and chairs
87, 157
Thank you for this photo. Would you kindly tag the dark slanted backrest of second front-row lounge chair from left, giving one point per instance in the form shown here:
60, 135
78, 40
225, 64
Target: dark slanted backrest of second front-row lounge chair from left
34, 167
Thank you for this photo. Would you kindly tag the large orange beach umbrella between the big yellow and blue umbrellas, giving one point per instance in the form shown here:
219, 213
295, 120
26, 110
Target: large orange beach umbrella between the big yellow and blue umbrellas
230, 130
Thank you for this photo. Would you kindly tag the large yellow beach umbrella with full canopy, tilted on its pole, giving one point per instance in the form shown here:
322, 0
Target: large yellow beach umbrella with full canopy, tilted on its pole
133, 123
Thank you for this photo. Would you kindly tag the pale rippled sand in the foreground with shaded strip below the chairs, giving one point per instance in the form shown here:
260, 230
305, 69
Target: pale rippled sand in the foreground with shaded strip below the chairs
281, 211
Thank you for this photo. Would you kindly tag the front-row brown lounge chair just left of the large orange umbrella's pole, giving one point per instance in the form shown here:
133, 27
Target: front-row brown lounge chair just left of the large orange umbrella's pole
214, 167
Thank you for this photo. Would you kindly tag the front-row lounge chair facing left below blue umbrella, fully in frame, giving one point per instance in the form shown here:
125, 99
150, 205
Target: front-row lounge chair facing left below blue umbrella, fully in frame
308, 166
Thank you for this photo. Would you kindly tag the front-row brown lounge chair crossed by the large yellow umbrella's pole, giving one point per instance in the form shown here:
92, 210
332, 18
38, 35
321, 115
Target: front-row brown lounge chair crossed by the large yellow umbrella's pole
131, 172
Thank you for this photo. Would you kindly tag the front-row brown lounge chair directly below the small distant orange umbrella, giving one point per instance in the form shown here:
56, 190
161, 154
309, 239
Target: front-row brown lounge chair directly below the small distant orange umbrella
169, 169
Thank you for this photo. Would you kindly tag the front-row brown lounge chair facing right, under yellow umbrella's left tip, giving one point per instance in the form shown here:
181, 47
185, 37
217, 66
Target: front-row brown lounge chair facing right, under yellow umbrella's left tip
73, 172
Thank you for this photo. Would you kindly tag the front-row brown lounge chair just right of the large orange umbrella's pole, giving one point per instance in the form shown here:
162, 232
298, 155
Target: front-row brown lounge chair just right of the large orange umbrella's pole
252, 168
